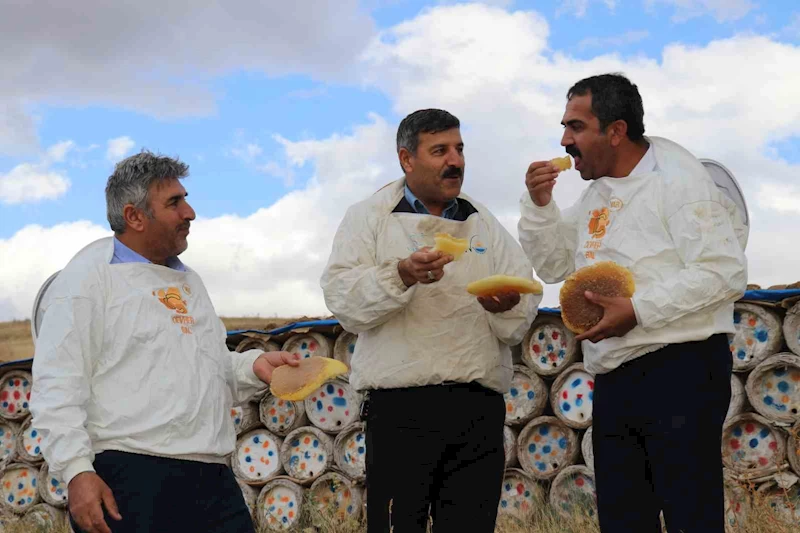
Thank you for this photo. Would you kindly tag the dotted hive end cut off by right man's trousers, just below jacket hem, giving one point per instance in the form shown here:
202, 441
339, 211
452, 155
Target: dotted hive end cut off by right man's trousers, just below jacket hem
572, 397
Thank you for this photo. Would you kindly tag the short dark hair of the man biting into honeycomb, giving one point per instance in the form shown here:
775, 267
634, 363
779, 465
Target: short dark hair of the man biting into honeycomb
614, 97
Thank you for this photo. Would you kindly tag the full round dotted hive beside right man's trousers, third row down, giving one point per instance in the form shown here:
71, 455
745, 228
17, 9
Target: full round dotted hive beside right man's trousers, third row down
751, 445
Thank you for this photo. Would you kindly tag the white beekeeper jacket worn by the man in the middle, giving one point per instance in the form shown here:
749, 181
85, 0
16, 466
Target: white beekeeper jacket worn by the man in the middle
427, 334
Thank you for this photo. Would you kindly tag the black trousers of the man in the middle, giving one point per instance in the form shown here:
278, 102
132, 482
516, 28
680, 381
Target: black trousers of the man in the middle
434, 451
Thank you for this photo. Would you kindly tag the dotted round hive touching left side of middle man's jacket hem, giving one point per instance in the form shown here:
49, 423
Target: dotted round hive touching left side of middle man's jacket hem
333, 406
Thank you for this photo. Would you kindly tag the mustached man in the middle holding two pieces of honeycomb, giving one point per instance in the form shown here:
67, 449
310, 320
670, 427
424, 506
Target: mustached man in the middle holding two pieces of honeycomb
433, 360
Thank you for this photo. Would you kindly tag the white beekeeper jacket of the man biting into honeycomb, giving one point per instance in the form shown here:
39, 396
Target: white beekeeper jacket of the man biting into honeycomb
682, 238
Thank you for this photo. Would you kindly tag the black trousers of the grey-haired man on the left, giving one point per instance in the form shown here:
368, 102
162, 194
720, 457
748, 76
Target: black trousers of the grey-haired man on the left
156, 495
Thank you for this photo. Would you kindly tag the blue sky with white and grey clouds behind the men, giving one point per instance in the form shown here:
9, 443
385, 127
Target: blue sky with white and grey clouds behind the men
286, 113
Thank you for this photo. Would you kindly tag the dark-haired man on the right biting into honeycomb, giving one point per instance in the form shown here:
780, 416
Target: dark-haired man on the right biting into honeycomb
661, 358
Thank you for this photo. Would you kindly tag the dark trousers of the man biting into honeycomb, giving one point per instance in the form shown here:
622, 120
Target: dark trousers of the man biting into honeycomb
657, 439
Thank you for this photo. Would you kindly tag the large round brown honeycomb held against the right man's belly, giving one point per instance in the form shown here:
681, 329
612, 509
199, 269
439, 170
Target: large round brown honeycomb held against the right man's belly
605, 278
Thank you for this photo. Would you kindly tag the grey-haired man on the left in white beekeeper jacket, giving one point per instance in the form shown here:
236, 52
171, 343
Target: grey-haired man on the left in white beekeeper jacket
133, 383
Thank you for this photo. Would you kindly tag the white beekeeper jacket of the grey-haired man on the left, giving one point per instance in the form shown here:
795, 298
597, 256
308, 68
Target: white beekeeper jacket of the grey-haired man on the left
132, 357
